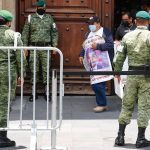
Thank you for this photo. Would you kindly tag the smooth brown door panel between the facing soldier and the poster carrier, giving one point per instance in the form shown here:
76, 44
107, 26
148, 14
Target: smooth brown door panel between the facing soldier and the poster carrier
71, 35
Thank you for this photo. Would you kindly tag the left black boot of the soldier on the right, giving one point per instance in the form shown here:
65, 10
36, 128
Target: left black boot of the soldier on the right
120, 138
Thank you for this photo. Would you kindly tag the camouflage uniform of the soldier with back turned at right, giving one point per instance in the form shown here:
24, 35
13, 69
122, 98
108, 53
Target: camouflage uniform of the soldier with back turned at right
136, 45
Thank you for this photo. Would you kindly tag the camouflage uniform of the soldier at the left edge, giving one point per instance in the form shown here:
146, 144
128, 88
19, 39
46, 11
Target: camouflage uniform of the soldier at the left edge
7, 39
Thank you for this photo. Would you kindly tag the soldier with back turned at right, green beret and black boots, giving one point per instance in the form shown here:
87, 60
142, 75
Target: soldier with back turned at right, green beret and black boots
136, 45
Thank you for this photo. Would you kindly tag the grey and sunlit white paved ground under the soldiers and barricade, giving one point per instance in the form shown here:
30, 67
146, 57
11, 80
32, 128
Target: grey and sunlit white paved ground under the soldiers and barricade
81, 129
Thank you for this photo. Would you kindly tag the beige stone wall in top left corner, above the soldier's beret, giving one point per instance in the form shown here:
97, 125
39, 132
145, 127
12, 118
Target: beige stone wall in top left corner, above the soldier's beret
9, 5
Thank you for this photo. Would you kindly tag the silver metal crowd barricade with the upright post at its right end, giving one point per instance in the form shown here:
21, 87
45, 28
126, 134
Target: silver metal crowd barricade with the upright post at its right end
54, 124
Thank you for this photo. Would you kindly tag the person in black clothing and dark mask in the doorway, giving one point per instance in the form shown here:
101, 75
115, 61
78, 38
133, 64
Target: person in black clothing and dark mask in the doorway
126, 26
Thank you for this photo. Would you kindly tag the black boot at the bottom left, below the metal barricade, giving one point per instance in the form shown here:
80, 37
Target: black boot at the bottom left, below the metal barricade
4, 141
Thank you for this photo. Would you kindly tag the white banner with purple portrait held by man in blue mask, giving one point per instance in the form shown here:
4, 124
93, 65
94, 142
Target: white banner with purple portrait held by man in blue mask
96, 60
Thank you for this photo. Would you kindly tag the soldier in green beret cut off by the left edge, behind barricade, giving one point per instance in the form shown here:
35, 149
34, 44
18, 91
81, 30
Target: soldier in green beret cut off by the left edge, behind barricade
7, 37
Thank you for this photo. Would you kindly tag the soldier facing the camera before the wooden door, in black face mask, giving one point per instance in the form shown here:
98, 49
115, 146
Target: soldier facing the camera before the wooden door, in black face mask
40, 30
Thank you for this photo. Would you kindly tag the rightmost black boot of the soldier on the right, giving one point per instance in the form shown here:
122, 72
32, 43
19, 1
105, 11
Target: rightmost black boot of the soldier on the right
141, 141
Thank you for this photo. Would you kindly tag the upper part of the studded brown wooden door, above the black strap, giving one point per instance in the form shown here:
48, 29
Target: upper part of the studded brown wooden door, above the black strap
70, 17
